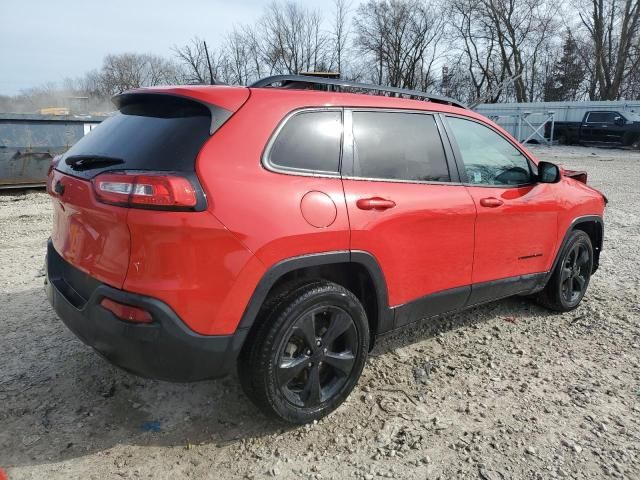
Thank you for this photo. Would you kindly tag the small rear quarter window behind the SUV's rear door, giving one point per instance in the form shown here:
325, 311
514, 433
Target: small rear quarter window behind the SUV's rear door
309, 141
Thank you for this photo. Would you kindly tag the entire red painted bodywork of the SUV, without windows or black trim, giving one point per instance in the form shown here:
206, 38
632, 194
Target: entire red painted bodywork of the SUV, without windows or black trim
206, 265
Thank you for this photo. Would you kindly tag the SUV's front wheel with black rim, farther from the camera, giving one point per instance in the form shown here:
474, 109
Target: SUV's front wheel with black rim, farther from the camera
571, 276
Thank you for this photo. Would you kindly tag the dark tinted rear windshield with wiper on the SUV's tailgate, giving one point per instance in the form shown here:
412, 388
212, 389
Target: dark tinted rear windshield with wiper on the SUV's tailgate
152, 132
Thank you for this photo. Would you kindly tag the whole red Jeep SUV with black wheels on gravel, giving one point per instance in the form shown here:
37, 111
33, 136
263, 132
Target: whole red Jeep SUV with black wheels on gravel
281, 229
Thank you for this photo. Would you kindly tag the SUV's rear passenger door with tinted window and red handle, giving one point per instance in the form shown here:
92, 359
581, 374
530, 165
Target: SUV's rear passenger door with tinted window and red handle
407, 208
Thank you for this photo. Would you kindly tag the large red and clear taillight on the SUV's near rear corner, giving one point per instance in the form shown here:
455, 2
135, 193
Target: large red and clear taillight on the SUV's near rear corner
150, 190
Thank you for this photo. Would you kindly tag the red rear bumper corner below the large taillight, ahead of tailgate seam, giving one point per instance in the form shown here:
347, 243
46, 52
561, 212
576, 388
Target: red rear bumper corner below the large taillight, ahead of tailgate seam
193, 263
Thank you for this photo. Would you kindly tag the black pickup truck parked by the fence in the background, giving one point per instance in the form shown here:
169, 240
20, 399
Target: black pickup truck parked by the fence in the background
599, 127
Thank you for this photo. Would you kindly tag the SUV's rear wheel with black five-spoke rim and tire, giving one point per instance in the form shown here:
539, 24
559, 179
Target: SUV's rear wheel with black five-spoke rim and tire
307, 353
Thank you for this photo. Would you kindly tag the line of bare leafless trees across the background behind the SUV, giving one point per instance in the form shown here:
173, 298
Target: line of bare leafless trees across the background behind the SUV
494, 50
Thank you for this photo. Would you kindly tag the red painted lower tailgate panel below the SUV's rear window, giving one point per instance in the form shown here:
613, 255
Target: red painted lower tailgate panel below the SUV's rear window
92, 236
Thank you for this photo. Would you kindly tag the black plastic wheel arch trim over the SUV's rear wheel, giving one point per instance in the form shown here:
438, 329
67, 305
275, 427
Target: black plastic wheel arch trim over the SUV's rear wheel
275, 272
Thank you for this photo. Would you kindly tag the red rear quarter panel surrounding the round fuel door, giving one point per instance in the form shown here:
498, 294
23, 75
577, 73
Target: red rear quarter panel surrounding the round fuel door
262, 208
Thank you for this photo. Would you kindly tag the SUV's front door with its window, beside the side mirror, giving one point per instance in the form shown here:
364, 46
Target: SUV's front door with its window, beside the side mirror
516, 226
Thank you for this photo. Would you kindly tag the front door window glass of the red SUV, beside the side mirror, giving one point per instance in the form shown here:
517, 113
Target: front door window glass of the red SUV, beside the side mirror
489, 159
